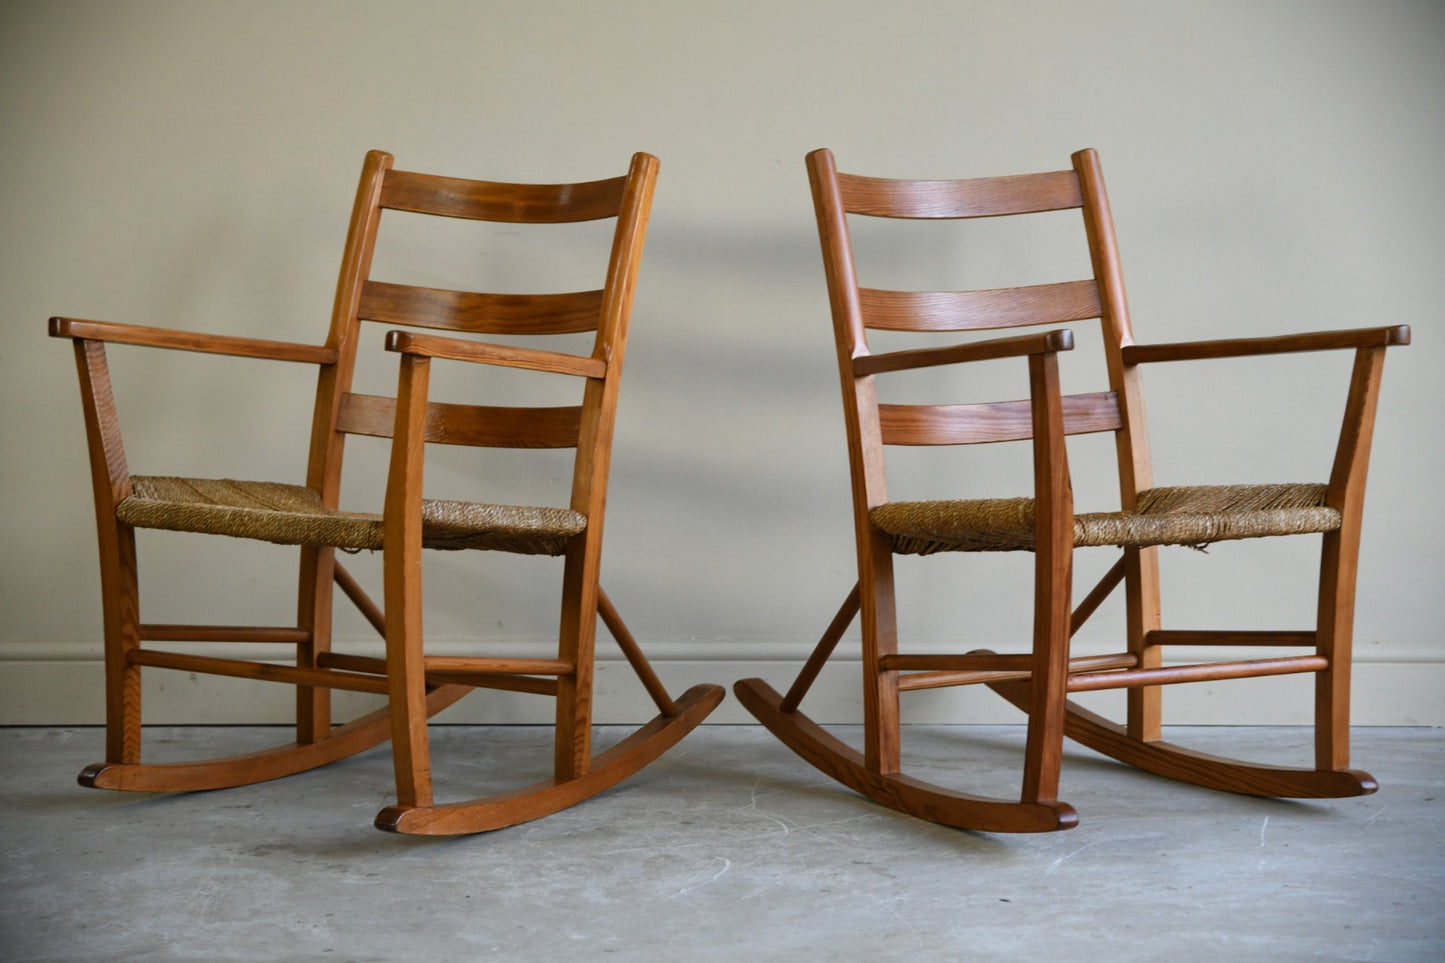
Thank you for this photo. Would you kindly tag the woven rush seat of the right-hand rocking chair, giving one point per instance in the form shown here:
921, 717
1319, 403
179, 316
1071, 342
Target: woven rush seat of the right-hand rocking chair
1193, 515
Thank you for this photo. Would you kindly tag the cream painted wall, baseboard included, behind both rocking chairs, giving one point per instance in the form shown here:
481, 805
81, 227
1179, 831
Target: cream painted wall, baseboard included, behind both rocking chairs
1274, 167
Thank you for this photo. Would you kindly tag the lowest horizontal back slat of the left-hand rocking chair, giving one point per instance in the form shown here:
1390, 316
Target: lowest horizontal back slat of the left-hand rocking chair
479, 426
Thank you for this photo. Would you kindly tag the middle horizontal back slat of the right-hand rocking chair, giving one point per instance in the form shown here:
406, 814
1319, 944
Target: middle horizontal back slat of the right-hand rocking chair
975, 310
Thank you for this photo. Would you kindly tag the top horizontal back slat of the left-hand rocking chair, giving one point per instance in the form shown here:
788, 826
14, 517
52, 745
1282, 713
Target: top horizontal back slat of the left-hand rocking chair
509, 203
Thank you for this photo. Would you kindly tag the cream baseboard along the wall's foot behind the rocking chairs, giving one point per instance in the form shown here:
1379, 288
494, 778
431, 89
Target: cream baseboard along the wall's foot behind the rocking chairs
63, 686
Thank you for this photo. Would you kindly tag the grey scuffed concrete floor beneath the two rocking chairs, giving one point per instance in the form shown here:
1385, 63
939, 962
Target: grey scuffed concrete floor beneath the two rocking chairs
728, 849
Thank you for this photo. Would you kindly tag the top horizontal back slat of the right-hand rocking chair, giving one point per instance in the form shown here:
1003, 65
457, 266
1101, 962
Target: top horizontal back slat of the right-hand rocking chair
978, 197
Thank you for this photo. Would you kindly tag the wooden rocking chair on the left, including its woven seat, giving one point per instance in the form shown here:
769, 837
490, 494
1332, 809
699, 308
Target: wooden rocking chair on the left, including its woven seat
418, 686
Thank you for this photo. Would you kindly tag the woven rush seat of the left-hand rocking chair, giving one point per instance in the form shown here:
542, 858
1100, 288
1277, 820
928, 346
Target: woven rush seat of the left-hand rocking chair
294, 515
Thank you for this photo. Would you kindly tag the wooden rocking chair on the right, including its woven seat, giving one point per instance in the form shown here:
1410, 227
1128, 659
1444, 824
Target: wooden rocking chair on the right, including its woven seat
1041, 682
